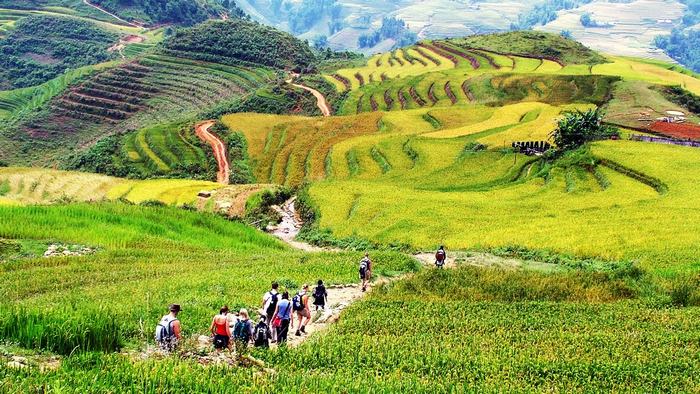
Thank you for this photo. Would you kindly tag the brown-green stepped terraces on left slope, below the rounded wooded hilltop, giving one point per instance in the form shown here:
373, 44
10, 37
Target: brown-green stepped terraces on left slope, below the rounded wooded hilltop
152, 90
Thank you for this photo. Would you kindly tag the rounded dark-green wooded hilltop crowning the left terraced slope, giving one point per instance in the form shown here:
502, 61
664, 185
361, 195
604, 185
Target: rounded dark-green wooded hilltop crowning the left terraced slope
238, 41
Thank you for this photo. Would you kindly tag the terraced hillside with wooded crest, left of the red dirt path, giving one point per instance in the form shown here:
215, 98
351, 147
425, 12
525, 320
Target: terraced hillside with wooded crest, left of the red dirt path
163, 87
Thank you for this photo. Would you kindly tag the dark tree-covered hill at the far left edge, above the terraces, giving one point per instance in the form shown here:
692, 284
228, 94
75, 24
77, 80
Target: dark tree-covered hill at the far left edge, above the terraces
43, 47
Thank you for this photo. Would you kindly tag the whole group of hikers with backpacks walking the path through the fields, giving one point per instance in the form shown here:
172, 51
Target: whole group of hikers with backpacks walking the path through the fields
276, 316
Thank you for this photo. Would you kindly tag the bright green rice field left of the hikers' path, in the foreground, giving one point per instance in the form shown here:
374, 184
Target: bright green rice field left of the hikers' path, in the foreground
169, 254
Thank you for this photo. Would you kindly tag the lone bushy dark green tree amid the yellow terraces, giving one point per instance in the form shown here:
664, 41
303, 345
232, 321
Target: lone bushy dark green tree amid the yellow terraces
578, 128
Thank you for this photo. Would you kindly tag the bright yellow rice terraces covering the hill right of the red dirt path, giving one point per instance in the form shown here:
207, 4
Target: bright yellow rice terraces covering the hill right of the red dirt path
431, 134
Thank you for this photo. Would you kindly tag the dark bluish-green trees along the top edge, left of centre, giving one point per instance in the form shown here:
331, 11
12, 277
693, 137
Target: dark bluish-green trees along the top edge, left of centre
185, 12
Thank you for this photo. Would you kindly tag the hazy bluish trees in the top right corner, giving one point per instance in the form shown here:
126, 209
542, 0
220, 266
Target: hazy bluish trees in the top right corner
683, 44
